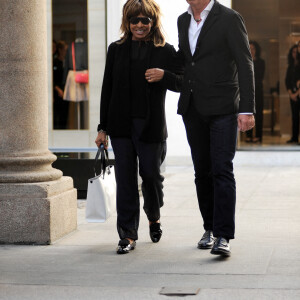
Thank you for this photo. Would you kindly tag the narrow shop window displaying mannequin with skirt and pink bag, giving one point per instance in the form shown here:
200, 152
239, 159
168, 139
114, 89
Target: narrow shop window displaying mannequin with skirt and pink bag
70, 60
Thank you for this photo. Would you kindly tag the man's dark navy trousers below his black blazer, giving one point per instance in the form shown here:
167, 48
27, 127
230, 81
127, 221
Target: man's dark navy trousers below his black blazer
213, 144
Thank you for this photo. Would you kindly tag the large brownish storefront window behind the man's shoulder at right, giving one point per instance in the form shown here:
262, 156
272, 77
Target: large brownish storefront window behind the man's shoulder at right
274, 26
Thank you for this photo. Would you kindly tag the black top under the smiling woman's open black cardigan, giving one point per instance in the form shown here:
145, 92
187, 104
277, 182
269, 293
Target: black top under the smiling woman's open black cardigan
138, 66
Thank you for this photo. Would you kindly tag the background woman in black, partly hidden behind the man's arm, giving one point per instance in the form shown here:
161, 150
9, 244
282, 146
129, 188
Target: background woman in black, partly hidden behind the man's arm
259, 72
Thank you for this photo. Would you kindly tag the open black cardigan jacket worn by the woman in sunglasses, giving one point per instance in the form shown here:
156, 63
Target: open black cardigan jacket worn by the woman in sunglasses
115, 108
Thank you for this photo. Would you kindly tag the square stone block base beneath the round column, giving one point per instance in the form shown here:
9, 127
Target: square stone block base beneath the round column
37, 213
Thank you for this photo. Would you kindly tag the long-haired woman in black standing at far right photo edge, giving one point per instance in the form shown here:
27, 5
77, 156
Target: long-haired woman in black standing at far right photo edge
292, 85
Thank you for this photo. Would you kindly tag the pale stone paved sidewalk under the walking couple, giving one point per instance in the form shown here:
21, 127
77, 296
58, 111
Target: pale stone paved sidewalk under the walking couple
265, 261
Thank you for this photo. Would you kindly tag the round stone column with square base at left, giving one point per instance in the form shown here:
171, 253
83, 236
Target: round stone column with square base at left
37, 204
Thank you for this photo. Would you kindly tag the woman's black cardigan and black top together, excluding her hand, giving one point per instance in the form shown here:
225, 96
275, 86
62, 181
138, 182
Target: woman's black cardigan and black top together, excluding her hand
126, 93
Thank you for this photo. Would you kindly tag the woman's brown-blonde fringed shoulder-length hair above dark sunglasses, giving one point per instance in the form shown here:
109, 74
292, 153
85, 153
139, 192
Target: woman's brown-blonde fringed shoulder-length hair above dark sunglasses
149, 8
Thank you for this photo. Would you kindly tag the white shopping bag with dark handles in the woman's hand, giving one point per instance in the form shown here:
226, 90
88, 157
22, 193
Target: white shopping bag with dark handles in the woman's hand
101, 193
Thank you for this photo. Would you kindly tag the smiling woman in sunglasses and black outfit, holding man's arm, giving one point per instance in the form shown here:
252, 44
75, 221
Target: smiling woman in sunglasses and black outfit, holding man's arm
139, 69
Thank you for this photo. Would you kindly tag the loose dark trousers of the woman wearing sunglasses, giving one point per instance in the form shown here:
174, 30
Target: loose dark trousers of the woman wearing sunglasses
131, 153
